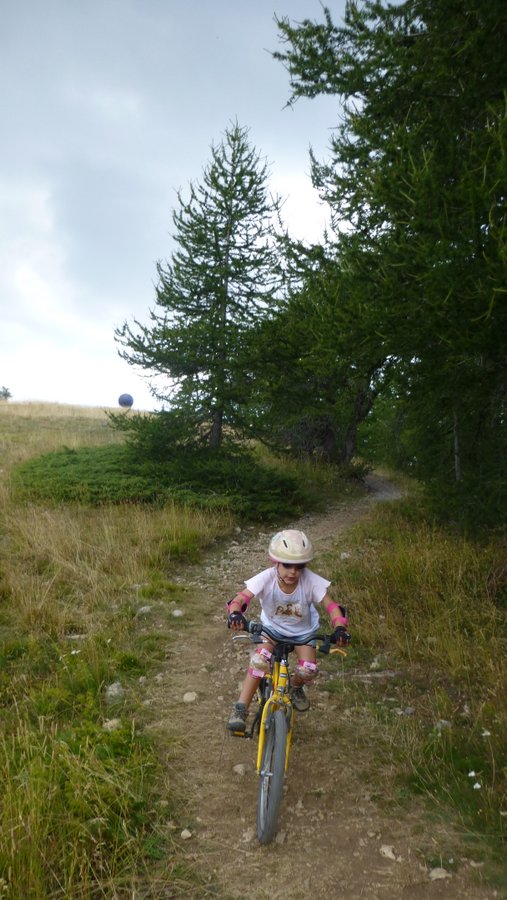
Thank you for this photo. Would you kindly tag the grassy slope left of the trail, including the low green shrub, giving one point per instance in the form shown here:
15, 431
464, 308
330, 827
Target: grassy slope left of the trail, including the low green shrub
80, 780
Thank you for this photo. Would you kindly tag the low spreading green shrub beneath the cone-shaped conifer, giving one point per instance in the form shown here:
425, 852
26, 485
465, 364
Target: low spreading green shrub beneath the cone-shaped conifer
236, 482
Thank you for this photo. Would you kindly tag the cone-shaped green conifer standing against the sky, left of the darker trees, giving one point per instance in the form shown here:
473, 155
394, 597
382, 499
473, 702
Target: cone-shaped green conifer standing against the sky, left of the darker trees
219, 282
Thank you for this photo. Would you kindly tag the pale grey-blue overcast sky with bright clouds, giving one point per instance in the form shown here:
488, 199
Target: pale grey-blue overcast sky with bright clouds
108, 107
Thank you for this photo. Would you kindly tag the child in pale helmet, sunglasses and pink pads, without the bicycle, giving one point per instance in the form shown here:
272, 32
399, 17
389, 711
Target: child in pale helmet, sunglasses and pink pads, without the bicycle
289, 594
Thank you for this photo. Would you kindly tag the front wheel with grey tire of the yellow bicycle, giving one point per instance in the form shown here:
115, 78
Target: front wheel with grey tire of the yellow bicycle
271, 776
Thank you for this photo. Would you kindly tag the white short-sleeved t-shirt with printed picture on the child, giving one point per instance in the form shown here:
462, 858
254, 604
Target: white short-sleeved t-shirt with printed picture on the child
291, 614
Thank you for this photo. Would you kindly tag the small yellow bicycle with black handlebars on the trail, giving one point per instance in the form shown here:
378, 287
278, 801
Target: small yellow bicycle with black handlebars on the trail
273, 722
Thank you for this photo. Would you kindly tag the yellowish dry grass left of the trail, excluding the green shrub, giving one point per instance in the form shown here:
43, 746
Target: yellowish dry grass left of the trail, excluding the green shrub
74, 795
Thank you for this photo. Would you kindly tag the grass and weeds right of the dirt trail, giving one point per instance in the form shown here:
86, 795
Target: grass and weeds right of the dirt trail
422, 606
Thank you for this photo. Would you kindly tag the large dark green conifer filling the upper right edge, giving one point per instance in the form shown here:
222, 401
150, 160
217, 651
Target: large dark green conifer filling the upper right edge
418, 172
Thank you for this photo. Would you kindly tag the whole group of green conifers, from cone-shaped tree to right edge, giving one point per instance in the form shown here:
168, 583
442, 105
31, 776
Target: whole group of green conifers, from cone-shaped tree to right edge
388, 338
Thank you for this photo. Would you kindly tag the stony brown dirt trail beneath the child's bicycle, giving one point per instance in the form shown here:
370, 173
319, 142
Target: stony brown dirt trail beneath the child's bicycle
338, 833
